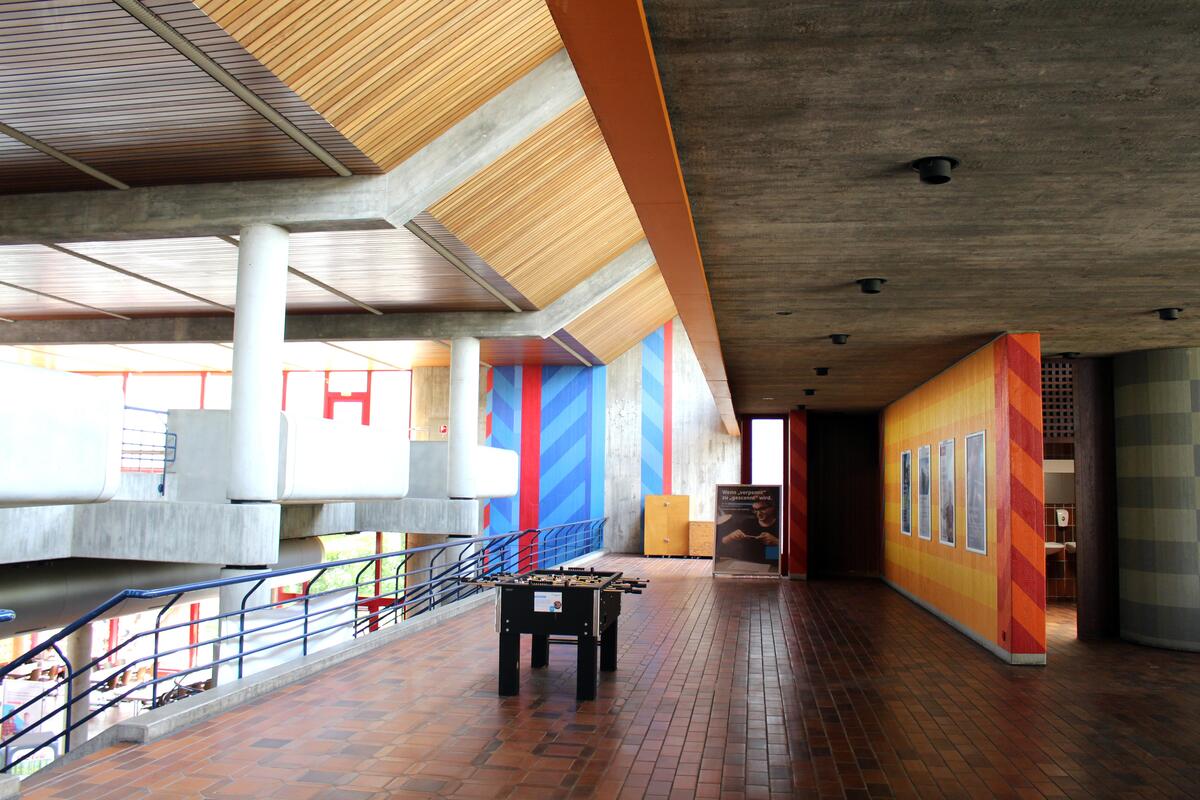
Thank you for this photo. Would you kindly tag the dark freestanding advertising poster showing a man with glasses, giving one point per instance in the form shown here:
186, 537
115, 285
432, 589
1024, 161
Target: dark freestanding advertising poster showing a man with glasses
748, 531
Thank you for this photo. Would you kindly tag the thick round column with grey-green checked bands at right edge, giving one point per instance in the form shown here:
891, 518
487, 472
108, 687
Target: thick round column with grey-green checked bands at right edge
1157, 416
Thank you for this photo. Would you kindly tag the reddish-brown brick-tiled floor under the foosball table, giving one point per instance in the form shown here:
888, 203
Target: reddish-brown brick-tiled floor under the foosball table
733, 689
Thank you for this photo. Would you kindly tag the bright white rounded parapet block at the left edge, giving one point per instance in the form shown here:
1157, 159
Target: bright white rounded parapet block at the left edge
61, 437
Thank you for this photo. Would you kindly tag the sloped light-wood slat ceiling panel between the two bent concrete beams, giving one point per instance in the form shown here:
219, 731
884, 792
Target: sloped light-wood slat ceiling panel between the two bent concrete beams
548, 214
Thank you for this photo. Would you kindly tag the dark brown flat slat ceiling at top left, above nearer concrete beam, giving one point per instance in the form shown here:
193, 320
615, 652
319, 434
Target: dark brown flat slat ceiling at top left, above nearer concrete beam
87, 79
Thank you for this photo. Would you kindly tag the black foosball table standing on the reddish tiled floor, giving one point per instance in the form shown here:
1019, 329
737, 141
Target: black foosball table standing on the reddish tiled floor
553, 604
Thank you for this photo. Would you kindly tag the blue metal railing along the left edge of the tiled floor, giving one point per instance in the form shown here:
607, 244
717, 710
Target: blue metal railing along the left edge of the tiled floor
423, 580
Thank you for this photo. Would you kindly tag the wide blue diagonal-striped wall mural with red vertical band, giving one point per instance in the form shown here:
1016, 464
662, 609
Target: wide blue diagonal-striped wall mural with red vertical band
555, 419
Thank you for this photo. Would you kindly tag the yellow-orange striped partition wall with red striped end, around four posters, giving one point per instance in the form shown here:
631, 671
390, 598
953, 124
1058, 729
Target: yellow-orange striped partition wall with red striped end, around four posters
998, 598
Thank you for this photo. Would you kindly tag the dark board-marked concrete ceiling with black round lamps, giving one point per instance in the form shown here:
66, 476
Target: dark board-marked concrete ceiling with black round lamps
1076, 212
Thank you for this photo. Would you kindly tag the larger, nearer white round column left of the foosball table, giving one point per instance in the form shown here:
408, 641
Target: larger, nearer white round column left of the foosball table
257, 364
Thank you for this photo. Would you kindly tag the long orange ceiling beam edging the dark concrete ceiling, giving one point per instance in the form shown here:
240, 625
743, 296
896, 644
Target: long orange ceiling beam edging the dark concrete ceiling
610, 46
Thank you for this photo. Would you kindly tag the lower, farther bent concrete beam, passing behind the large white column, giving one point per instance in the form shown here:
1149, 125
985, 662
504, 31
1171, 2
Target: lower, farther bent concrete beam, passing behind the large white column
350, 328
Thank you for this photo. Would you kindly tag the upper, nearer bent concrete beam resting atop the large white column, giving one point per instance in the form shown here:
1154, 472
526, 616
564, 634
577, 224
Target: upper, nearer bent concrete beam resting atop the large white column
356, 203
